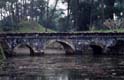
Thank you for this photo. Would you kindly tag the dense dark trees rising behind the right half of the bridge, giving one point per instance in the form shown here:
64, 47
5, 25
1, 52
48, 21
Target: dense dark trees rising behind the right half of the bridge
86, 13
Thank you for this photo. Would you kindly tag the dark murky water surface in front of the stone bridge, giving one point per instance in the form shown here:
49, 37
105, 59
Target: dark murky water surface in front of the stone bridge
60, 67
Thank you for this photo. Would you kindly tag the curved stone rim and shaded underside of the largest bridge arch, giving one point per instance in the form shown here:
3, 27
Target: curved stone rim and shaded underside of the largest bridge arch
68, 46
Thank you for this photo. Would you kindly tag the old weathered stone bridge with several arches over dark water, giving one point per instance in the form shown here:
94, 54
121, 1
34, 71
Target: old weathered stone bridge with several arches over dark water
71, 42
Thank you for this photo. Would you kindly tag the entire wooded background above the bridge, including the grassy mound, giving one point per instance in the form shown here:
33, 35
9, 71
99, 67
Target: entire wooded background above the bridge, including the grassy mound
78, 15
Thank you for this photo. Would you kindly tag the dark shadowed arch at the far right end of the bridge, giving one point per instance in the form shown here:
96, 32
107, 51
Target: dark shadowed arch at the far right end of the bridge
118, 48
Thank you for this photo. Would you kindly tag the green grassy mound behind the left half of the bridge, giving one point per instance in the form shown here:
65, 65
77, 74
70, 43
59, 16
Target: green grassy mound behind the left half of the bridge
26, 26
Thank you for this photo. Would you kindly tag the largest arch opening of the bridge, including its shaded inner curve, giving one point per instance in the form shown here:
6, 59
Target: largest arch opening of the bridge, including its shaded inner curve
59, 47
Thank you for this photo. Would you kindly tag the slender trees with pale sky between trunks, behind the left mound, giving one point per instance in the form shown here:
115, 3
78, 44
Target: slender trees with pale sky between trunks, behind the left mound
14, 11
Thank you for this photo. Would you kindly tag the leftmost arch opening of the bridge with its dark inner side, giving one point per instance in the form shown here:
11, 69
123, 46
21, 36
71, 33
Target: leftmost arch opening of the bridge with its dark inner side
23, 49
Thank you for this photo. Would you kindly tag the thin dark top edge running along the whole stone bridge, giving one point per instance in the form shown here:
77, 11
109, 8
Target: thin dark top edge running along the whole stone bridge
65, 33
